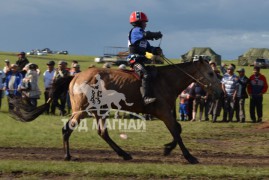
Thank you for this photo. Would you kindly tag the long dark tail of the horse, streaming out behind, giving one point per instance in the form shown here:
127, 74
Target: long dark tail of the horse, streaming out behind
23, 111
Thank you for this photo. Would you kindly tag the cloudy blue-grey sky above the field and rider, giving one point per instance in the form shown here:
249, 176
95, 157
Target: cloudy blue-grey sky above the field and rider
85, 27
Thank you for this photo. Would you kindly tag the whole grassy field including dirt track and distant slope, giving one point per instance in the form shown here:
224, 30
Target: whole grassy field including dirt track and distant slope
225, 150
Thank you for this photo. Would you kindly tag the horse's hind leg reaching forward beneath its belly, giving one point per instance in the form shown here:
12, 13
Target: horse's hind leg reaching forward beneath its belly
102, 131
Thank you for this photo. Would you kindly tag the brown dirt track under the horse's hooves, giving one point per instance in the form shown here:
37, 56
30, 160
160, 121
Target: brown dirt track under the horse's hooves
143, 156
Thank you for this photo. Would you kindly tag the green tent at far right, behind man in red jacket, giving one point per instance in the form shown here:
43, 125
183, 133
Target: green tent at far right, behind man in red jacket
251, 55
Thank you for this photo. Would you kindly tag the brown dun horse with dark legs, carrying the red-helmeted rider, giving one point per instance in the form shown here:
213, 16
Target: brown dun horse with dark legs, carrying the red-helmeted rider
89, 87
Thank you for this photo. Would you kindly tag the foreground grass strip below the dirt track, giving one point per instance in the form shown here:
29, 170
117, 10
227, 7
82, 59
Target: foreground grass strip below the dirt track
128, 170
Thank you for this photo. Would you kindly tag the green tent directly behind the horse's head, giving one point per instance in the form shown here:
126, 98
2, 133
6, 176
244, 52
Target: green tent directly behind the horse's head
201, 51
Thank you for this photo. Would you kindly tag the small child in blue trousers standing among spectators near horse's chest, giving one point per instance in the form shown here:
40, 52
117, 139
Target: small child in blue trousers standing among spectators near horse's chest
183, 105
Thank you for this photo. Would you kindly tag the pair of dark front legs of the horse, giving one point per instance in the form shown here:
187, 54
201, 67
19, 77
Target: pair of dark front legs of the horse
175, 129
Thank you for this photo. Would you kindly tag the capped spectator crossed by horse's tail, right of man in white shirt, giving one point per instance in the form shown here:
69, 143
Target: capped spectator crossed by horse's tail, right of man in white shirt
61, 72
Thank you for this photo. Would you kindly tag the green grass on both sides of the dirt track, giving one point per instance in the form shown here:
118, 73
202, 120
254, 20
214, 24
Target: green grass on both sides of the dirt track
213, 138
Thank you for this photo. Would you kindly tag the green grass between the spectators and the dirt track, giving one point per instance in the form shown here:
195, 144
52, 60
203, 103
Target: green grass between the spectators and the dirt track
46, 132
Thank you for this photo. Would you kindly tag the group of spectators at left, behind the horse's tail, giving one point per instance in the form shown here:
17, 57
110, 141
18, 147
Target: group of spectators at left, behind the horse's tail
21, 80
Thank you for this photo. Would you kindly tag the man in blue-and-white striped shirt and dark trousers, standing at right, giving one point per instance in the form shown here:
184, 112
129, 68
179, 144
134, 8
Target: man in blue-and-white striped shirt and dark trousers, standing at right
229, 87
